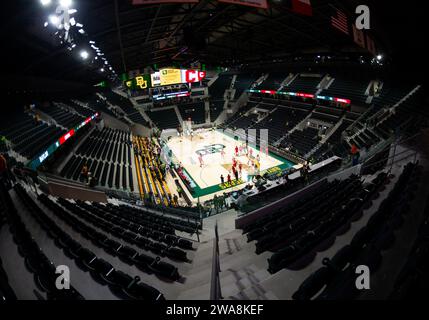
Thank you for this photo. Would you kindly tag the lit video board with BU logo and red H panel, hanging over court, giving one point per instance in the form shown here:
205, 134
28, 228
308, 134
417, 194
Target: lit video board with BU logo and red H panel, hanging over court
165, 77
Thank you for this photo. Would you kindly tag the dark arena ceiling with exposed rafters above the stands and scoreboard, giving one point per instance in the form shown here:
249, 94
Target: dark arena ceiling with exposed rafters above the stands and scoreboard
133, 37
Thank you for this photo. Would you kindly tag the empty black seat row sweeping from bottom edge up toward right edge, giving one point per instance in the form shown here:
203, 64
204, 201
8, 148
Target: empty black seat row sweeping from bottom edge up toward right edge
336, 279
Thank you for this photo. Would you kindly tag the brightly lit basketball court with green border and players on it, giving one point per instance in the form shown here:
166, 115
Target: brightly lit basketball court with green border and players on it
217, 152
